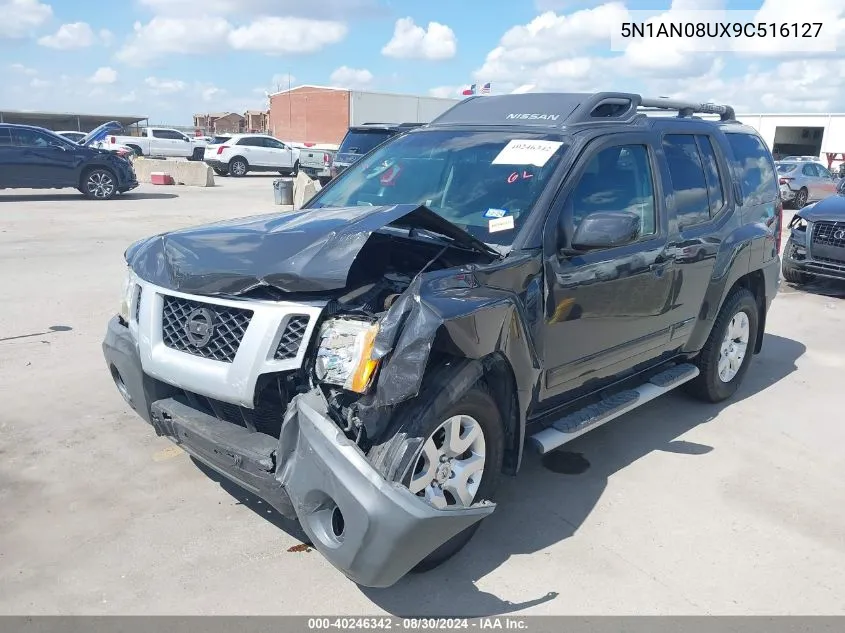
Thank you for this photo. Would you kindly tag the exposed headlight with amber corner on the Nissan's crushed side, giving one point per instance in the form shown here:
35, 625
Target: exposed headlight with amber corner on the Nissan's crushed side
343, 357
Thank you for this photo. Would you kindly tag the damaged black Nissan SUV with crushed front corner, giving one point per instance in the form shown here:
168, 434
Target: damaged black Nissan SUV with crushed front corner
521, 270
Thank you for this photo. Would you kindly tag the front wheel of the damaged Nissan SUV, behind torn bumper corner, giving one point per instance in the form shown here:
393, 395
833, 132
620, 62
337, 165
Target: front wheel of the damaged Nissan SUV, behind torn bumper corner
456, 449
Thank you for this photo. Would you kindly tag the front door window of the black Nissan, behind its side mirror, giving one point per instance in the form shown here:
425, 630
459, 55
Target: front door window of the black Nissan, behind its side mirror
616, 179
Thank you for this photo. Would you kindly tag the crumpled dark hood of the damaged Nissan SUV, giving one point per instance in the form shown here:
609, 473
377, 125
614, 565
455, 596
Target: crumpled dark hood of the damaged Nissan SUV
310, 250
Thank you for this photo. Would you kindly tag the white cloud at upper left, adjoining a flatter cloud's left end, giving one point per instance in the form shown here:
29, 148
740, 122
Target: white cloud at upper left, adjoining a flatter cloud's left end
162, 36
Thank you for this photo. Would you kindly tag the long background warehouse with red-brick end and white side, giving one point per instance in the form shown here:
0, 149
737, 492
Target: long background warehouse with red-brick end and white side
321, 114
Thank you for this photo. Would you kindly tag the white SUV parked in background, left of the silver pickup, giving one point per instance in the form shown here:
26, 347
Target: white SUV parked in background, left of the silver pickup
243, 153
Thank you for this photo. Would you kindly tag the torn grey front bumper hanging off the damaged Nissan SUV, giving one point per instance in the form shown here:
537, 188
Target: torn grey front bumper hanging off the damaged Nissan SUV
373, 530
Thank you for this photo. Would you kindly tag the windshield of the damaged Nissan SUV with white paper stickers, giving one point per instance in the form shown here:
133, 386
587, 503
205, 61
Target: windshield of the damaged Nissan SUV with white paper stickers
483, 182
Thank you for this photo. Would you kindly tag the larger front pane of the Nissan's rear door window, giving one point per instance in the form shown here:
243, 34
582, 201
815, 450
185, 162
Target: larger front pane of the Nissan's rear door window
689, 185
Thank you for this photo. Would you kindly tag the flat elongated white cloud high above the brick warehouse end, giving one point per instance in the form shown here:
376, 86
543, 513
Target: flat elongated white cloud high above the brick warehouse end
287, 35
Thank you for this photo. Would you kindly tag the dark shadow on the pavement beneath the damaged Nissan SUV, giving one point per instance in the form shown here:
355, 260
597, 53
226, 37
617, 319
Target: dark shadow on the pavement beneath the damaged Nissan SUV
543, 506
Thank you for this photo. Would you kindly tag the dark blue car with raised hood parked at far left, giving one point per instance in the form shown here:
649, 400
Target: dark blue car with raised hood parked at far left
35, 158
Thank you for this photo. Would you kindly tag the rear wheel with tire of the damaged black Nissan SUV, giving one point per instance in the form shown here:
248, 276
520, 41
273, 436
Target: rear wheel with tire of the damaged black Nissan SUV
708, 385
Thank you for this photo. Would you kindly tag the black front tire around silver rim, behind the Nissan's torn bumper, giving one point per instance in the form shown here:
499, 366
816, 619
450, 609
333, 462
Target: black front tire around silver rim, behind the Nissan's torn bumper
397, 457
